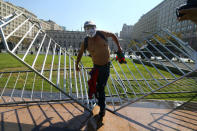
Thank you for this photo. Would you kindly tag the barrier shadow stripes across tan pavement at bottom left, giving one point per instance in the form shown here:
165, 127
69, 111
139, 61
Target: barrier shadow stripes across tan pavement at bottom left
44, 117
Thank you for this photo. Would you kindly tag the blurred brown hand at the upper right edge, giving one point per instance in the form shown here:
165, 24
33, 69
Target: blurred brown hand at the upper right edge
189, 14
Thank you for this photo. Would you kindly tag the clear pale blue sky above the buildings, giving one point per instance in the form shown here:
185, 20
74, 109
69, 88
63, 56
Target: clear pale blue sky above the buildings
107, 14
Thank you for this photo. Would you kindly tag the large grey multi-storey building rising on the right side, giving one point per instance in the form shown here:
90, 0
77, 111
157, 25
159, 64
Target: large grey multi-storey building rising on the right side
164, 16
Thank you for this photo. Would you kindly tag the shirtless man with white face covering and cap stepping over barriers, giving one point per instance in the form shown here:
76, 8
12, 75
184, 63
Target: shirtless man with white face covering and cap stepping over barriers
98, 48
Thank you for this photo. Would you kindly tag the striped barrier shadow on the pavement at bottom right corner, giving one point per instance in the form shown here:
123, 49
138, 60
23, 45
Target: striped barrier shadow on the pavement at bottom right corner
184, 117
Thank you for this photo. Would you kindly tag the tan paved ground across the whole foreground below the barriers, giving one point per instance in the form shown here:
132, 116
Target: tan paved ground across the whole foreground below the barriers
141, 116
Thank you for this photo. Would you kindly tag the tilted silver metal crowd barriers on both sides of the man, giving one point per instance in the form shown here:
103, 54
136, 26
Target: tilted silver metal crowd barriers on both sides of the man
153, 71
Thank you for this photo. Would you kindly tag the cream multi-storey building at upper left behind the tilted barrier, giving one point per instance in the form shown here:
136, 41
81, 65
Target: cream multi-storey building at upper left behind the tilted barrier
7, 8
